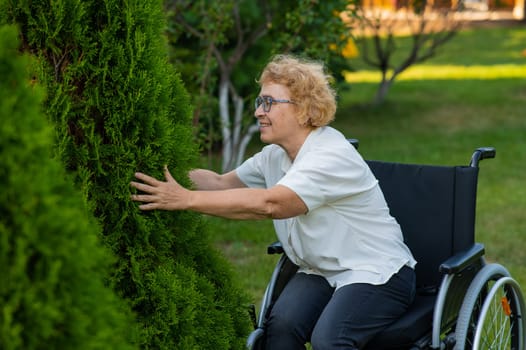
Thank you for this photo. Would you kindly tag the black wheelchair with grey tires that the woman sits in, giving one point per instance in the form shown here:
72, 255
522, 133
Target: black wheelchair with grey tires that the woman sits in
462, 301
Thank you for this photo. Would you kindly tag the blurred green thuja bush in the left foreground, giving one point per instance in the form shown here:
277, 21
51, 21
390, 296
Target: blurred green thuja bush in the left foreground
52, 291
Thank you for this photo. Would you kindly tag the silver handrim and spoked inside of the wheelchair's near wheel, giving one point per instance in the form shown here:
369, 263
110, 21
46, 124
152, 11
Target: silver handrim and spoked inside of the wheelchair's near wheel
501, 323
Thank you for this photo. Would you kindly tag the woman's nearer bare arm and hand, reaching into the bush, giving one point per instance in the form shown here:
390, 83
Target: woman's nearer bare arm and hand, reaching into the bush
278, 202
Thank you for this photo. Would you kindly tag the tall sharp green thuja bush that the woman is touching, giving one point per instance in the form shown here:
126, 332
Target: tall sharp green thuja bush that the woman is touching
119, 107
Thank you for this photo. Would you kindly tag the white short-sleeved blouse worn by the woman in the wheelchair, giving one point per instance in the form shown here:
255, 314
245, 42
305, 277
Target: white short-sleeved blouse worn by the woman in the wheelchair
347, 235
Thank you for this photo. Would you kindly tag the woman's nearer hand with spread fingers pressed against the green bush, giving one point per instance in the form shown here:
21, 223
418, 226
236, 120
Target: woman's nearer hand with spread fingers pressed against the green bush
164, 195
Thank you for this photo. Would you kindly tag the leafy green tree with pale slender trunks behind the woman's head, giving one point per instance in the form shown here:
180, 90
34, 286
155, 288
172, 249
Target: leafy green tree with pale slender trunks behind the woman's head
222, 47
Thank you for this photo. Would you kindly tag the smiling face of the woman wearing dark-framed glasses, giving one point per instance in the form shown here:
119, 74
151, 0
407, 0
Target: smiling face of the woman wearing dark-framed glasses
280, 124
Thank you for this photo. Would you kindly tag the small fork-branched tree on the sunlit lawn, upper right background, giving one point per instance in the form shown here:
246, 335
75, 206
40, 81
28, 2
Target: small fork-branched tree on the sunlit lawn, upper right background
429, 25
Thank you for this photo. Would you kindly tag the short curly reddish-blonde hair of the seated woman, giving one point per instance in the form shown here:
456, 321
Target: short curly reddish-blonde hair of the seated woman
309, 85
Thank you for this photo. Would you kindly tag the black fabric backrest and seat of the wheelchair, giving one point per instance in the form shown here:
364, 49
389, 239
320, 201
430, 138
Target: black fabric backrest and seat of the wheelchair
435, 206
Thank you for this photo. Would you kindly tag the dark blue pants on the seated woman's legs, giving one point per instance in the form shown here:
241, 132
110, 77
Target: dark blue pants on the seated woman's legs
310, 310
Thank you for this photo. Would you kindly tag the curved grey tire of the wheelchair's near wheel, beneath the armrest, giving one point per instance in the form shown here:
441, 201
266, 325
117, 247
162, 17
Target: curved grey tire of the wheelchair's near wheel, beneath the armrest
472, 304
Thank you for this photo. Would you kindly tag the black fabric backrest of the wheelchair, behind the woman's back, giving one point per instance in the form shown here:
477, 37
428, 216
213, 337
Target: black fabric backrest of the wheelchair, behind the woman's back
435, 207
